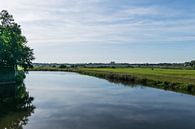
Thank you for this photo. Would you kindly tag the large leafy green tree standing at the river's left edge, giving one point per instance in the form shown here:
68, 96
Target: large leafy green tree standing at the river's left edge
13, 49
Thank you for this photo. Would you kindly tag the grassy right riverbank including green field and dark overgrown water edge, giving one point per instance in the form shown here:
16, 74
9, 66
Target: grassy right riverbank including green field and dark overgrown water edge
168, 79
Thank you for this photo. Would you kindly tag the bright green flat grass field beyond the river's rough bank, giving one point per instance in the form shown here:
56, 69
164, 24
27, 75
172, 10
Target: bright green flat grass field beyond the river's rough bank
157, 74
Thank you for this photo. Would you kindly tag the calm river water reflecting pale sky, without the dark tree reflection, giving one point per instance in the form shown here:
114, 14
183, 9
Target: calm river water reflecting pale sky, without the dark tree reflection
72, 101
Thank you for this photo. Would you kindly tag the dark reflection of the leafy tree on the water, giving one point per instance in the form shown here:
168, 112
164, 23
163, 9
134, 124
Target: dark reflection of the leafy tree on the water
15, 106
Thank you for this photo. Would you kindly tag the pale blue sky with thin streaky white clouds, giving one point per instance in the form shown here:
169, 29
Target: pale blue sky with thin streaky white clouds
89, 31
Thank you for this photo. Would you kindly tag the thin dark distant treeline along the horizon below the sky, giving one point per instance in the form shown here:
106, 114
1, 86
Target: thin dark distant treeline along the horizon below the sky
186, 65
